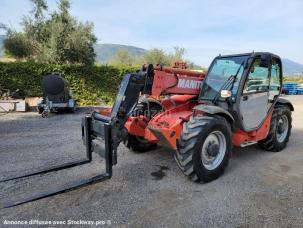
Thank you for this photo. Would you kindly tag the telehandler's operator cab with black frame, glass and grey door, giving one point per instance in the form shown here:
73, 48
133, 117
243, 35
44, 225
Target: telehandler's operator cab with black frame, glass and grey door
237, 83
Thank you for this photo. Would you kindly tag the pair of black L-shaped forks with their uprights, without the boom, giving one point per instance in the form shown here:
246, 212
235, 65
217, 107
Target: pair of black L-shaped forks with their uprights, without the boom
87, 132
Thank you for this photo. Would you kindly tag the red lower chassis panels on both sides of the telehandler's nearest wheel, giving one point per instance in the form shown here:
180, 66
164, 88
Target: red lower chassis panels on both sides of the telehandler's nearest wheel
166, 127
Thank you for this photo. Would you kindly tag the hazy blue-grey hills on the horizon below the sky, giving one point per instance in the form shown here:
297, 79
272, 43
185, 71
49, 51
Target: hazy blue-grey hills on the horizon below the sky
106, 51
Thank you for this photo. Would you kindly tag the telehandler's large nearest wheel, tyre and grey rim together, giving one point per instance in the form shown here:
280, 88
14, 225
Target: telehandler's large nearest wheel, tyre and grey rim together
204, 148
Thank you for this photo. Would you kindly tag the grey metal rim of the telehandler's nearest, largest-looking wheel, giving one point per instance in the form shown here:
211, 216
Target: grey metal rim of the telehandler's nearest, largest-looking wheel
213, 150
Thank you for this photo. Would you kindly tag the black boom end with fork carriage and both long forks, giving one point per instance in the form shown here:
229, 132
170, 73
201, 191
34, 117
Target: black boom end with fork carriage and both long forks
100, 134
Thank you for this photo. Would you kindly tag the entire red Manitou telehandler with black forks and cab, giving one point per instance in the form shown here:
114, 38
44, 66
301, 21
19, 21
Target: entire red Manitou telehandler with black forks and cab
200, 116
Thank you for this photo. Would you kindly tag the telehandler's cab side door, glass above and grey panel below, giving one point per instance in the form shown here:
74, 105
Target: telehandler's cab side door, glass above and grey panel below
254, 101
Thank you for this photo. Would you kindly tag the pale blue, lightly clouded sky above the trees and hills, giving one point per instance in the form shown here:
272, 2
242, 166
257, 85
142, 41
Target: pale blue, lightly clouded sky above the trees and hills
205, 28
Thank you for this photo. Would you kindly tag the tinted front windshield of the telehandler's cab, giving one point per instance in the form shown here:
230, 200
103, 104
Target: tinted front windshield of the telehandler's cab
221, 71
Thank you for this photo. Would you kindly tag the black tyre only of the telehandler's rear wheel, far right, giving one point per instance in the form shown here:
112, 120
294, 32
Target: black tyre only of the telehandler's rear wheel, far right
271, 142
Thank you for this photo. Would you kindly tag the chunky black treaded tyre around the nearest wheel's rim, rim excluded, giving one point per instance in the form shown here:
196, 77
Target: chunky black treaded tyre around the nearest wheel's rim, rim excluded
188, 155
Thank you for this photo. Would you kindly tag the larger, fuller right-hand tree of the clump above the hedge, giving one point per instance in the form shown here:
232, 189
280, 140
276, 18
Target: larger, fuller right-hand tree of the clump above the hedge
69, 41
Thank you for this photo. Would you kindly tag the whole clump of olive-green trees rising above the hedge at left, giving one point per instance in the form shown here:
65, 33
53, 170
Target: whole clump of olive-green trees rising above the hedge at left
58, 38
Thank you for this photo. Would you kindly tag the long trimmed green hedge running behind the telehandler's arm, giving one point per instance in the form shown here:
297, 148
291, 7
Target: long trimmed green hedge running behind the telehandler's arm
91, 85
